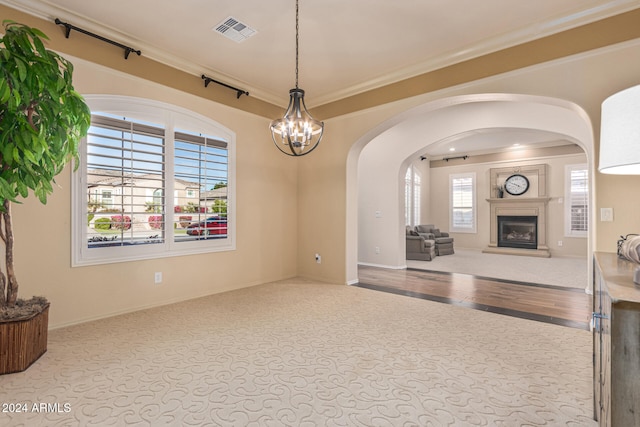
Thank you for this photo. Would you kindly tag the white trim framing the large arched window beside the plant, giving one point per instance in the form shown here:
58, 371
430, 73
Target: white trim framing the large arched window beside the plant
172, 116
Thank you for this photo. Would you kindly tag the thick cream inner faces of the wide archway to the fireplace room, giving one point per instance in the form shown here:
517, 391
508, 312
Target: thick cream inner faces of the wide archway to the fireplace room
401, 138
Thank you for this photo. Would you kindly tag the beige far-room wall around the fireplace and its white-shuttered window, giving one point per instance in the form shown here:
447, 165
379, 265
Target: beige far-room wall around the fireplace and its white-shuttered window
439, 202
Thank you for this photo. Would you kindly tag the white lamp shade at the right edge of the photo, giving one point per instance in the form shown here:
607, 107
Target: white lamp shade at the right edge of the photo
620, 133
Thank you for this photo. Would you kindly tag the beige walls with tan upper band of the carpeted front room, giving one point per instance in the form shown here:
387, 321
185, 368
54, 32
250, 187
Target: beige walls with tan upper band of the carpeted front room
290, 209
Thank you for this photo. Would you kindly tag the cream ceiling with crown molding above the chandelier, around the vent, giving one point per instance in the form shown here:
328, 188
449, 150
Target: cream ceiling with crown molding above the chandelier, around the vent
346, 47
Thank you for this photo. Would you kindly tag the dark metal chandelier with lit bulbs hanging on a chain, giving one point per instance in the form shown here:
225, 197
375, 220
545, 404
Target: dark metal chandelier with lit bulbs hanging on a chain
297, 133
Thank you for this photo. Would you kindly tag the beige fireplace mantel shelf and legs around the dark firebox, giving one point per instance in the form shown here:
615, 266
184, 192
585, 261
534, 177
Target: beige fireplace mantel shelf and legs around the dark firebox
519, 206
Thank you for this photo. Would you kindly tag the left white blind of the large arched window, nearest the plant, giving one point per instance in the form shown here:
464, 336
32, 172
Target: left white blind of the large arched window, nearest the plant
124, 160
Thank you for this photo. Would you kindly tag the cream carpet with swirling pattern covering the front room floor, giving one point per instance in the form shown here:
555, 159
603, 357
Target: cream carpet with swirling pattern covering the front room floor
299, 353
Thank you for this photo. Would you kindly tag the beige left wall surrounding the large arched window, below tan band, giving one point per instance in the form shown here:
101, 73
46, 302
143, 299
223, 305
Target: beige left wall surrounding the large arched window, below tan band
266, 224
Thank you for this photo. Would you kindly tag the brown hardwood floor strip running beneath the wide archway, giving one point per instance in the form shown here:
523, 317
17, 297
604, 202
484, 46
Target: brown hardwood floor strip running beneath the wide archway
546, 303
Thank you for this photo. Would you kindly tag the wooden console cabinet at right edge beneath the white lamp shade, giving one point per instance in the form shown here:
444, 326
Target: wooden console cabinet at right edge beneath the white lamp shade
616, 342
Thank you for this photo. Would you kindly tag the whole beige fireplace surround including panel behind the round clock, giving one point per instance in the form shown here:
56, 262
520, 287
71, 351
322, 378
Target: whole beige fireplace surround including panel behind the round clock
535, 205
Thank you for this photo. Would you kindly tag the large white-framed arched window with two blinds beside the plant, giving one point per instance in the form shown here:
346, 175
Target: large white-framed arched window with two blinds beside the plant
138, 151
